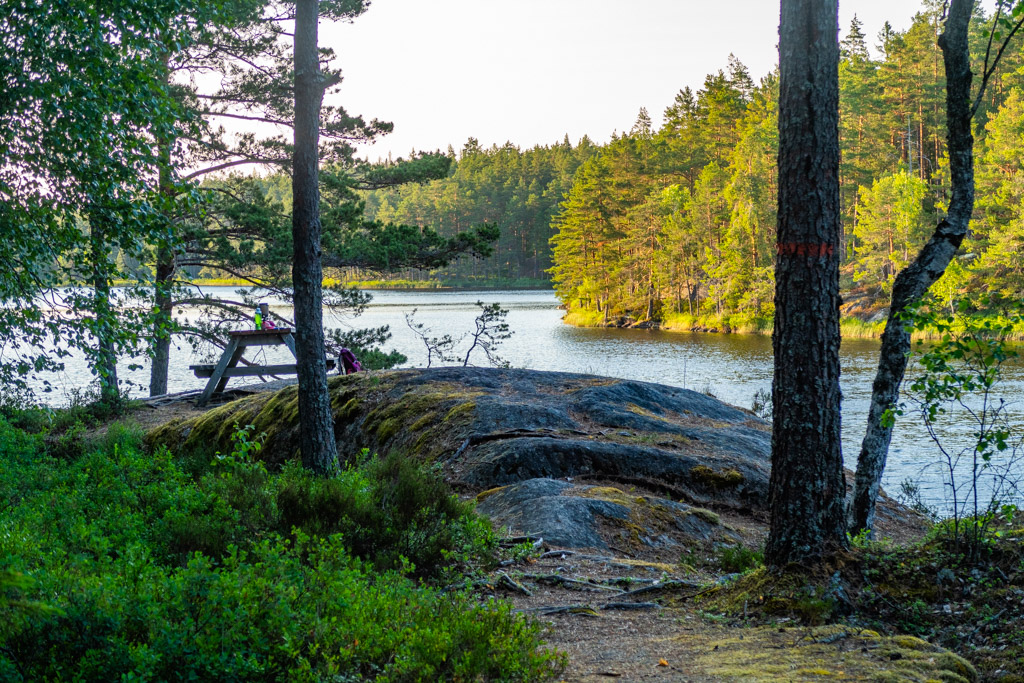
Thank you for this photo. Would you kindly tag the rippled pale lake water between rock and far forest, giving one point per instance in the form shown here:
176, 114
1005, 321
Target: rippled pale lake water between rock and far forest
732, 367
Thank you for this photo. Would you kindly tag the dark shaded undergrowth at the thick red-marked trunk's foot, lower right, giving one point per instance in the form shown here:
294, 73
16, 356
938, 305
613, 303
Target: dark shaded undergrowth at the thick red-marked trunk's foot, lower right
927, 591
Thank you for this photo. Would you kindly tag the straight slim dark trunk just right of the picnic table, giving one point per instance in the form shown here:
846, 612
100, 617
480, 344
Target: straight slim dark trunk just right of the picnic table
320, 452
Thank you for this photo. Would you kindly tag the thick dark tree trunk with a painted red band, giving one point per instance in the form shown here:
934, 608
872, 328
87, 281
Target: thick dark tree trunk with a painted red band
807, 487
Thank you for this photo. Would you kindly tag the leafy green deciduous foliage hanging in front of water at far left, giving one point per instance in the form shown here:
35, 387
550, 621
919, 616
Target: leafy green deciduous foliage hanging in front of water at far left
90, 79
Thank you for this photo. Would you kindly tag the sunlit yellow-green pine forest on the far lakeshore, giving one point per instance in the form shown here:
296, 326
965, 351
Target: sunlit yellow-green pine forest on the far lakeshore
677, 225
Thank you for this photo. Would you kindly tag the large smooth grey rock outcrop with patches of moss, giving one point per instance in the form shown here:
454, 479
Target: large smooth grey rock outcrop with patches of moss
582, 459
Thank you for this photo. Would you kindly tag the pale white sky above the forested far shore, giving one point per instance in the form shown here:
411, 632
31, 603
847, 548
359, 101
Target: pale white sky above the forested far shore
531, 72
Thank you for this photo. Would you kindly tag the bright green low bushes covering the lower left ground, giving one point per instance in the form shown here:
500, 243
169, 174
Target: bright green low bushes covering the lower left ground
122, 565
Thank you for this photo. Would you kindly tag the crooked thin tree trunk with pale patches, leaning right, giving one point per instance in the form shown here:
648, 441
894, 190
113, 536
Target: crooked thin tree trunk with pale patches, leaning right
914, 281
